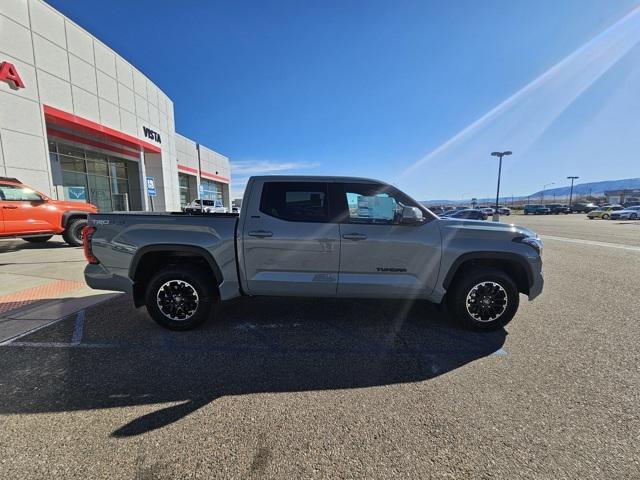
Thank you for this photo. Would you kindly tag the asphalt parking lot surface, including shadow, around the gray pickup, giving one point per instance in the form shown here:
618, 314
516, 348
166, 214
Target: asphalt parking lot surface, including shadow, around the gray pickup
309, 388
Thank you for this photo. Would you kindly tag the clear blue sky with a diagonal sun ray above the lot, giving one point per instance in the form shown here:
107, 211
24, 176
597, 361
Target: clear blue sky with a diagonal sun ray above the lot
376, 88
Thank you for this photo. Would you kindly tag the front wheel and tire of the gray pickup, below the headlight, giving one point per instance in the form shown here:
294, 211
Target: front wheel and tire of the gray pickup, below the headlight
492, 284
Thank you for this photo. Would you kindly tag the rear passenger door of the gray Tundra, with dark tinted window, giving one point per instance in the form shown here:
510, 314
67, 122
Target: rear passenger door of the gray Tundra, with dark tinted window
289, 245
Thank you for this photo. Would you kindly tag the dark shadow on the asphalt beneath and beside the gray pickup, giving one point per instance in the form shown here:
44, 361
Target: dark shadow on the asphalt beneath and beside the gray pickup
256, 346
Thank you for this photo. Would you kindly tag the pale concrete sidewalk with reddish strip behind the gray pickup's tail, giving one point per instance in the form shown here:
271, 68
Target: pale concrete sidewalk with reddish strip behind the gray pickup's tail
40, 284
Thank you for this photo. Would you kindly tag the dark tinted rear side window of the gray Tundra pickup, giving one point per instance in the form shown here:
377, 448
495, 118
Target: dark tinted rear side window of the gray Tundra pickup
295, 201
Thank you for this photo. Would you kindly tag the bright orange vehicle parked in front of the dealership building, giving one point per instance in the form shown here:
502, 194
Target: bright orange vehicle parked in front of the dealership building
34, 217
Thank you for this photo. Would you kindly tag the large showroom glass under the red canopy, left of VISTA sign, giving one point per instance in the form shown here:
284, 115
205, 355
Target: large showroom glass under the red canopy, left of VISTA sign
93, 177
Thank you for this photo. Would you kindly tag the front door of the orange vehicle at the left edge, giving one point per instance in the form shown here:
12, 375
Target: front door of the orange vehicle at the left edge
23, 210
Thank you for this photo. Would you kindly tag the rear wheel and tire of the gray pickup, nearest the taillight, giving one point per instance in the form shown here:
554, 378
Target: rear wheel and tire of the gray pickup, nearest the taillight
180, 281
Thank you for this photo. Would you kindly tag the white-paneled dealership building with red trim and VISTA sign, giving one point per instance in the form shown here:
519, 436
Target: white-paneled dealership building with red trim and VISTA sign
79, 122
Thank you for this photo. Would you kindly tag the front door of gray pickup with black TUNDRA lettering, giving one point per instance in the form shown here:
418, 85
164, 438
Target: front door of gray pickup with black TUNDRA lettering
380, 256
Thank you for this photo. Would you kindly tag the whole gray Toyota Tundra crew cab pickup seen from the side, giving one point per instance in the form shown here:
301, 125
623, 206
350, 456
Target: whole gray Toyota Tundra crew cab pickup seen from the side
314, 236
